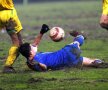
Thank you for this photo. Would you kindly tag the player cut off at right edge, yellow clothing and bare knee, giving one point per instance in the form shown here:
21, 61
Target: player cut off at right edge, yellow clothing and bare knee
104, 17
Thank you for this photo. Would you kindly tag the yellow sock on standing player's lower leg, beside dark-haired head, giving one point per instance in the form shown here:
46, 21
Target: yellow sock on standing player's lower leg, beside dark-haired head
13, 53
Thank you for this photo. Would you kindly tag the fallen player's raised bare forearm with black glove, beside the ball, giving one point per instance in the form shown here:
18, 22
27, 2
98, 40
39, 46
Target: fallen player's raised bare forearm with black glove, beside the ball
43, 30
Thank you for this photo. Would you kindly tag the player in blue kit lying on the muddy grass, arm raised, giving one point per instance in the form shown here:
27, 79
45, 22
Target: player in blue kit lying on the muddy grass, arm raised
68, 56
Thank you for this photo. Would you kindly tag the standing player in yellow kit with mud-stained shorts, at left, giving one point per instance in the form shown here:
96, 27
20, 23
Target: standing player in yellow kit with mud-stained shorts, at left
10, 21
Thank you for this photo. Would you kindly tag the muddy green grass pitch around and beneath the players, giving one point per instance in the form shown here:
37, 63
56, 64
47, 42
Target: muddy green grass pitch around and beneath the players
81, 16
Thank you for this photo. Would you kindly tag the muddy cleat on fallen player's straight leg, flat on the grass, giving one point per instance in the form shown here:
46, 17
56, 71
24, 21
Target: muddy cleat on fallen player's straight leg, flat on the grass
99, 64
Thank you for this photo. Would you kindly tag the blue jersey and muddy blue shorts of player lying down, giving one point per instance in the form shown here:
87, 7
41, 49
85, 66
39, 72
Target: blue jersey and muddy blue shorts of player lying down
66, 57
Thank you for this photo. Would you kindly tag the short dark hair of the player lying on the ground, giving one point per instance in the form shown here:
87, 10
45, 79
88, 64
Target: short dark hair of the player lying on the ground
24, 49
